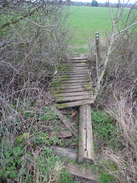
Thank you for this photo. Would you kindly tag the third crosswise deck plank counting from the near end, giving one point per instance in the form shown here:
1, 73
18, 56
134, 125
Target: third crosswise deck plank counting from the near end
73, 94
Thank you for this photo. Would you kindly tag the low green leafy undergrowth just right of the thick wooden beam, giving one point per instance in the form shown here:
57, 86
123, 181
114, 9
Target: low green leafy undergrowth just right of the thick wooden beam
104, 129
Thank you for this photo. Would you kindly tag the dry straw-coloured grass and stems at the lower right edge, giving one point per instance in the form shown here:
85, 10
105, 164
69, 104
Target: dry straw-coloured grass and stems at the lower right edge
124, 159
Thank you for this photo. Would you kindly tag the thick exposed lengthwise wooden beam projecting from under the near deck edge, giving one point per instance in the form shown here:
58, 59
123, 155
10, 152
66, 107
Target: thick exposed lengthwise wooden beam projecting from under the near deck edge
85, 134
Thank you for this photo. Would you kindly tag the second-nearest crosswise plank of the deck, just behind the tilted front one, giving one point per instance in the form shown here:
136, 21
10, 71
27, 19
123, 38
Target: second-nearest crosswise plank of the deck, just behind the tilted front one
73, 98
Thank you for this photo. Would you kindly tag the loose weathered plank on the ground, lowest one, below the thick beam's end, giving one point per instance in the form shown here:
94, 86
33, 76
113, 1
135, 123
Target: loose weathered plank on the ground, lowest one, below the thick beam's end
80, 171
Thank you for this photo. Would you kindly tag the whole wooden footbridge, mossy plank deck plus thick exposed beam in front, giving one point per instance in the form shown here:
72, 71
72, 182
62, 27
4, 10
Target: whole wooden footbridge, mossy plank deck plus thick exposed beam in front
72, 87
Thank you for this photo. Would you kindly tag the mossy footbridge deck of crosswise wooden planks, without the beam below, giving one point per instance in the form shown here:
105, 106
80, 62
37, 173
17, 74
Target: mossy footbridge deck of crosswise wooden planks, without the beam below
72, 85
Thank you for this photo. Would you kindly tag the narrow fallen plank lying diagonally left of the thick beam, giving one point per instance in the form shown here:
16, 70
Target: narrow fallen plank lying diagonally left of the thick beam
66, 122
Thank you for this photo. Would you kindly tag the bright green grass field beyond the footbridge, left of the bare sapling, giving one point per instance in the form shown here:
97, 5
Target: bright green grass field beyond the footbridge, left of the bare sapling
86, 21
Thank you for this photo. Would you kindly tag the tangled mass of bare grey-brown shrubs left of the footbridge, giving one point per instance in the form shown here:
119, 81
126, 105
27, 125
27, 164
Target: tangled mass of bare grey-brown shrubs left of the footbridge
33, 40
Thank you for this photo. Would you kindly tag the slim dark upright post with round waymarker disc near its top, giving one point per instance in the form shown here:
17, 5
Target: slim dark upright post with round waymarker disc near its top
97, 51
